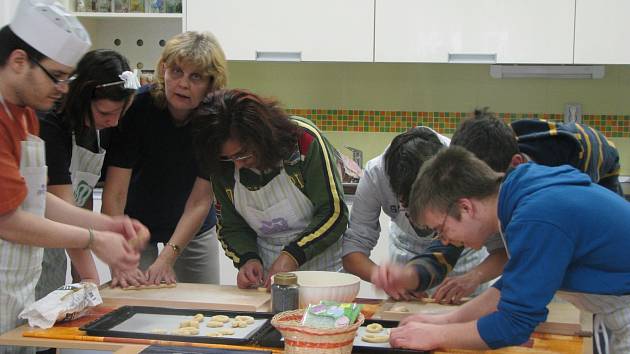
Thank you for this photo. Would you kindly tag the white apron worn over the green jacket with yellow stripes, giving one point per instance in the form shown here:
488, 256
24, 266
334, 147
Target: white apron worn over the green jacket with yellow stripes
278, 212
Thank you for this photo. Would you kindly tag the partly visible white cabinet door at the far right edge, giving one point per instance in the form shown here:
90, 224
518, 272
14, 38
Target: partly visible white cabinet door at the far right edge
601, 32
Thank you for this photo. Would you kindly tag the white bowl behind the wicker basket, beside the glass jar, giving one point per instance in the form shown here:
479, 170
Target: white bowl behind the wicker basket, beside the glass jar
319, 285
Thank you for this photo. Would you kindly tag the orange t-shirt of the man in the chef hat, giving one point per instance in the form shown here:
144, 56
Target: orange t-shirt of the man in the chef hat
12, 185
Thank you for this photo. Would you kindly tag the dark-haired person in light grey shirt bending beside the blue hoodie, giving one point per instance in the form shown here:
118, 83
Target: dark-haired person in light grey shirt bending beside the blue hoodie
416, 257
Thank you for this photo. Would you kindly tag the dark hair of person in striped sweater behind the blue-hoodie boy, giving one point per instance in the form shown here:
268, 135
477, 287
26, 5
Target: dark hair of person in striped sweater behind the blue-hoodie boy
489, 138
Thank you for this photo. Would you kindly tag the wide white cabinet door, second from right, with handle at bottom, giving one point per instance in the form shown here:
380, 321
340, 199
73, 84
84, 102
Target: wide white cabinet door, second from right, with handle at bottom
484, 31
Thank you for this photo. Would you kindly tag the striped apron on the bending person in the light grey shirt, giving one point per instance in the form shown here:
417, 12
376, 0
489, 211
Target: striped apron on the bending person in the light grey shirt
405, 245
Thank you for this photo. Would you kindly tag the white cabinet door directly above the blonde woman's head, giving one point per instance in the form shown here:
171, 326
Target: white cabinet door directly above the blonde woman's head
288, 30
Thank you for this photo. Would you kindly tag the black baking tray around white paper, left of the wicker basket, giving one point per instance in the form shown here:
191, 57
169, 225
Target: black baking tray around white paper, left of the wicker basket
102, 327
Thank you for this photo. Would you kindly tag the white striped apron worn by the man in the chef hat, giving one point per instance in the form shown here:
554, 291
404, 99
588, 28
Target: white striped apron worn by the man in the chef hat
21, 265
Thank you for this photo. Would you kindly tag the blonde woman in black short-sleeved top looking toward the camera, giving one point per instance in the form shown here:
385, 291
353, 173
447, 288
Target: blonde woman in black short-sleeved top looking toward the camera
153, 175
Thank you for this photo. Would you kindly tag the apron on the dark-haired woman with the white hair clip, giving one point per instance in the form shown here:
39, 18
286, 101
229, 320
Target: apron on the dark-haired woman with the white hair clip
85, 171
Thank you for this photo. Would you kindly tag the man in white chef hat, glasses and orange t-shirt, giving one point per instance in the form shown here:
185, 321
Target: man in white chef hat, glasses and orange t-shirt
38, 51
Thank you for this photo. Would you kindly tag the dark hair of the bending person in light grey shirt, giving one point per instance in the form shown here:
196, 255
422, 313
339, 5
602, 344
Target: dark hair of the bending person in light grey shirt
404, 157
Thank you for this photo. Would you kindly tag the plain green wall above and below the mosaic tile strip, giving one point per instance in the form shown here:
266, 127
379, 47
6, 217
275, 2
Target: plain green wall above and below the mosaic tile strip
428, 87
